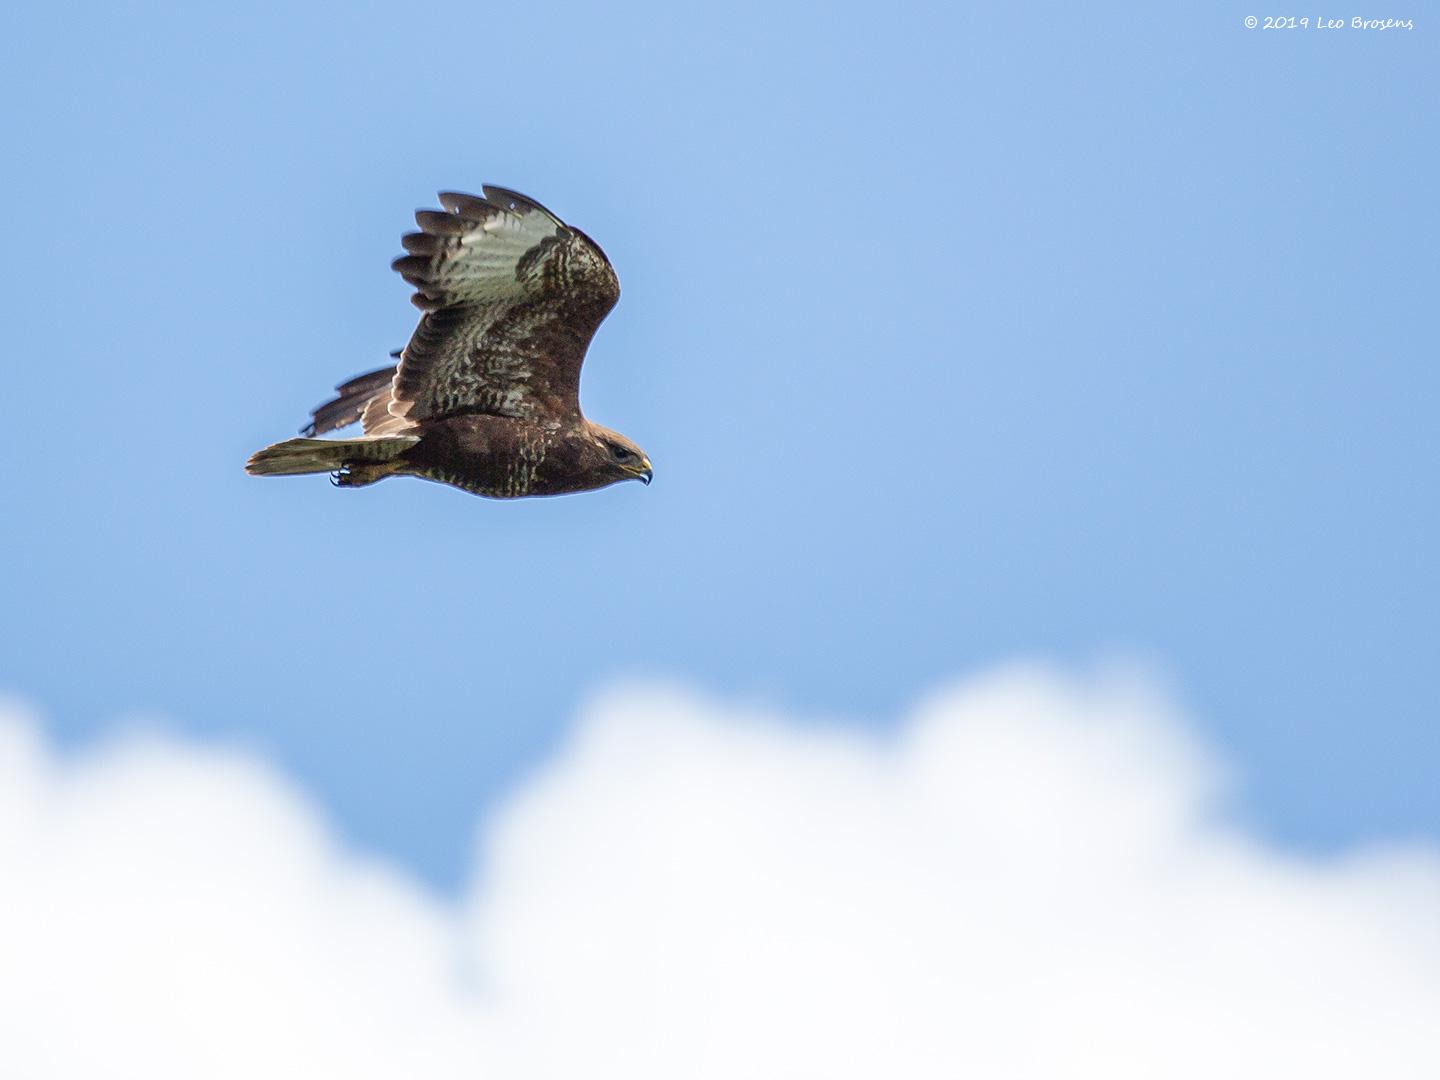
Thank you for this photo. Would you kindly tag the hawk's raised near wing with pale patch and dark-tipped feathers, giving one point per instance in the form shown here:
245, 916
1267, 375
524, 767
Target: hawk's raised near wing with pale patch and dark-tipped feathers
512, 299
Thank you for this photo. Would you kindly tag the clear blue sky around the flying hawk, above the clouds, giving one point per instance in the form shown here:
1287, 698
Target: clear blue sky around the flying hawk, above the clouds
955, 336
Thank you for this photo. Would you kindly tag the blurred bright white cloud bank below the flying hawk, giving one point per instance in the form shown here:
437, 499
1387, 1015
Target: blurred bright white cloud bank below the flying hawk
1029, 881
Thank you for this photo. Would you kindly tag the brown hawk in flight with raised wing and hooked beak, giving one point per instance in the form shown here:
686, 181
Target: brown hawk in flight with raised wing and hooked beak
486, 395
